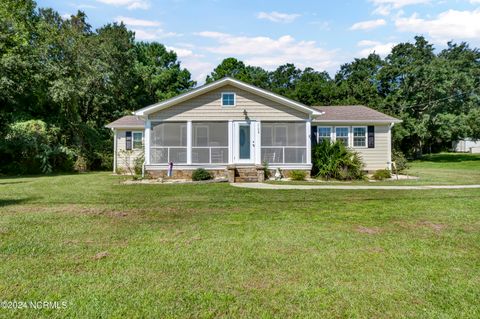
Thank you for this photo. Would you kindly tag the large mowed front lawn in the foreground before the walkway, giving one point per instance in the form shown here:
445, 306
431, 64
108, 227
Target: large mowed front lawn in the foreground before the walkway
212, 250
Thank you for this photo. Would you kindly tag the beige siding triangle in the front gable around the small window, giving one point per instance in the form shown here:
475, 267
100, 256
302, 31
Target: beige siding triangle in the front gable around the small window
248, 106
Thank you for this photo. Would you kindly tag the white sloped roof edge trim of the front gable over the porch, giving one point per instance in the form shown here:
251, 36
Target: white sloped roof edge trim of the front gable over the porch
217, 84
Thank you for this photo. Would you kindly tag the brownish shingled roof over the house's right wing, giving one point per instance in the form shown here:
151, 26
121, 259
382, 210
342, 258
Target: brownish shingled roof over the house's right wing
353, 113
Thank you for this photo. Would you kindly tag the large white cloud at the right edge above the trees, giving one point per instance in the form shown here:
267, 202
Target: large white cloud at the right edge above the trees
448, 25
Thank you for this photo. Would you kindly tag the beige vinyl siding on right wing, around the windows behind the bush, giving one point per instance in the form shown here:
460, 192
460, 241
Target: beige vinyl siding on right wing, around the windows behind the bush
374, 158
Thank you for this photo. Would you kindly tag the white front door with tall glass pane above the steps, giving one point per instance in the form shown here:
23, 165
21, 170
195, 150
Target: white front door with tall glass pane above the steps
244, 142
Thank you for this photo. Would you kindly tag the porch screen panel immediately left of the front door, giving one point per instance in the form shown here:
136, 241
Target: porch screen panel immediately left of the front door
210, 142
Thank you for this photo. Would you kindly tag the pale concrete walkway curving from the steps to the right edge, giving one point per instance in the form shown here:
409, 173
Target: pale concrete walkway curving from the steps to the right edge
358, 187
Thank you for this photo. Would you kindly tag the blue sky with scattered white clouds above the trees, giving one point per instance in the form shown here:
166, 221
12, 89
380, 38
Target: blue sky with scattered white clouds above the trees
268, 33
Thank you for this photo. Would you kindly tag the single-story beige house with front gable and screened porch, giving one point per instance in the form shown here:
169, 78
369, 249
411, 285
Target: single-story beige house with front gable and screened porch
230, 125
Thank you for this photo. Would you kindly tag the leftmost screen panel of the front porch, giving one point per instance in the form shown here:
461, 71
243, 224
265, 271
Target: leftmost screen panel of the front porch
168, 143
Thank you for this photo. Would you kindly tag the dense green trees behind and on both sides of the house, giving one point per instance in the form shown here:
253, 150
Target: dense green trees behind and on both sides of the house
61, 82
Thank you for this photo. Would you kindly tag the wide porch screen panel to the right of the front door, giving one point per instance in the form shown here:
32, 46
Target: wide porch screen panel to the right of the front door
284, 142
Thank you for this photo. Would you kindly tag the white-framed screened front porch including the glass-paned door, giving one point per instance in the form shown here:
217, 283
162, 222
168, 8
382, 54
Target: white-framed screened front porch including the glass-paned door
209, 144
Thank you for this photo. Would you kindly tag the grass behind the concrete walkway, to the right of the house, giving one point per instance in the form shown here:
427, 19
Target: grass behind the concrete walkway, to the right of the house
435, 169
